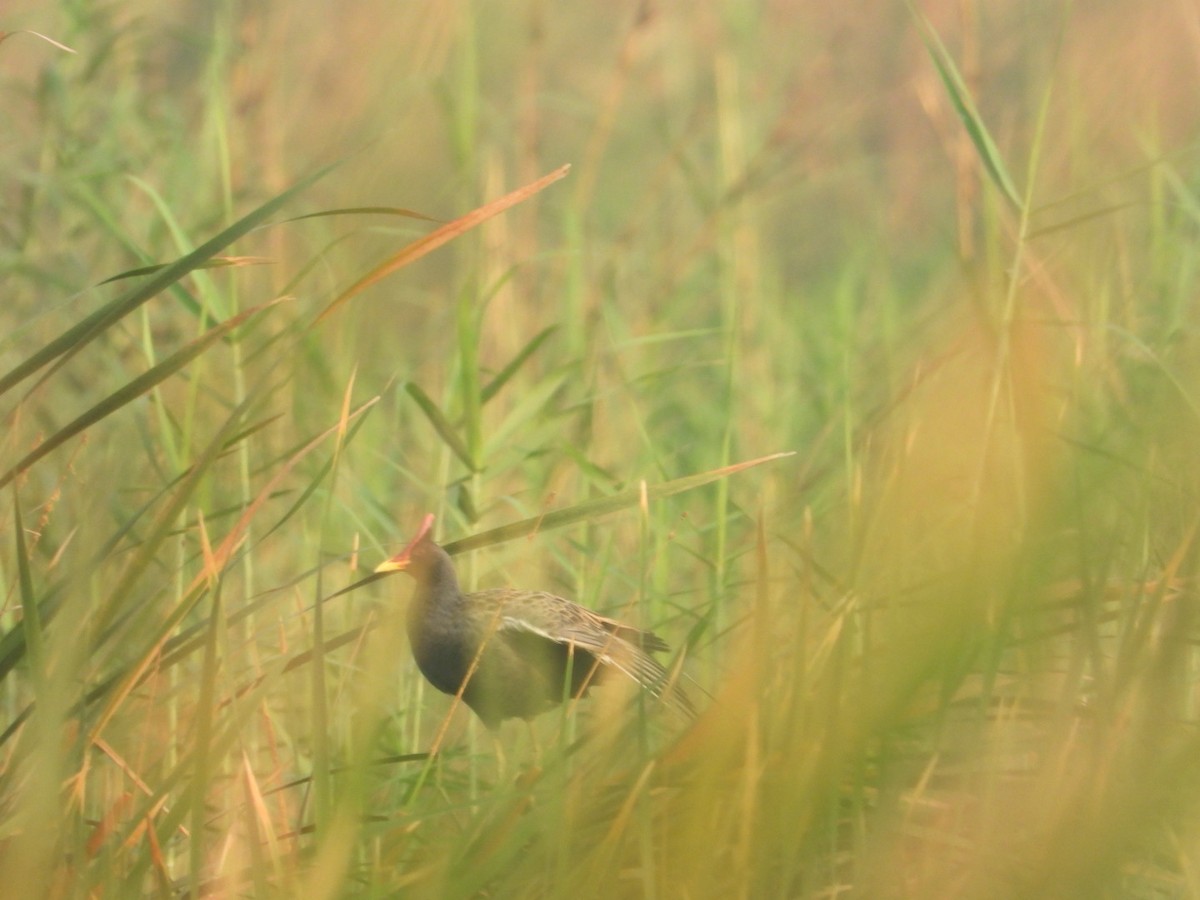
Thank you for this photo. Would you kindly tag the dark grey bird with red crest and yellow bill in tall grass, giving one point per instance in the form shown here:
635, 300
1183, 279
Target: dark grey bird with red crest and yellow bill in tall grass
511, 652
